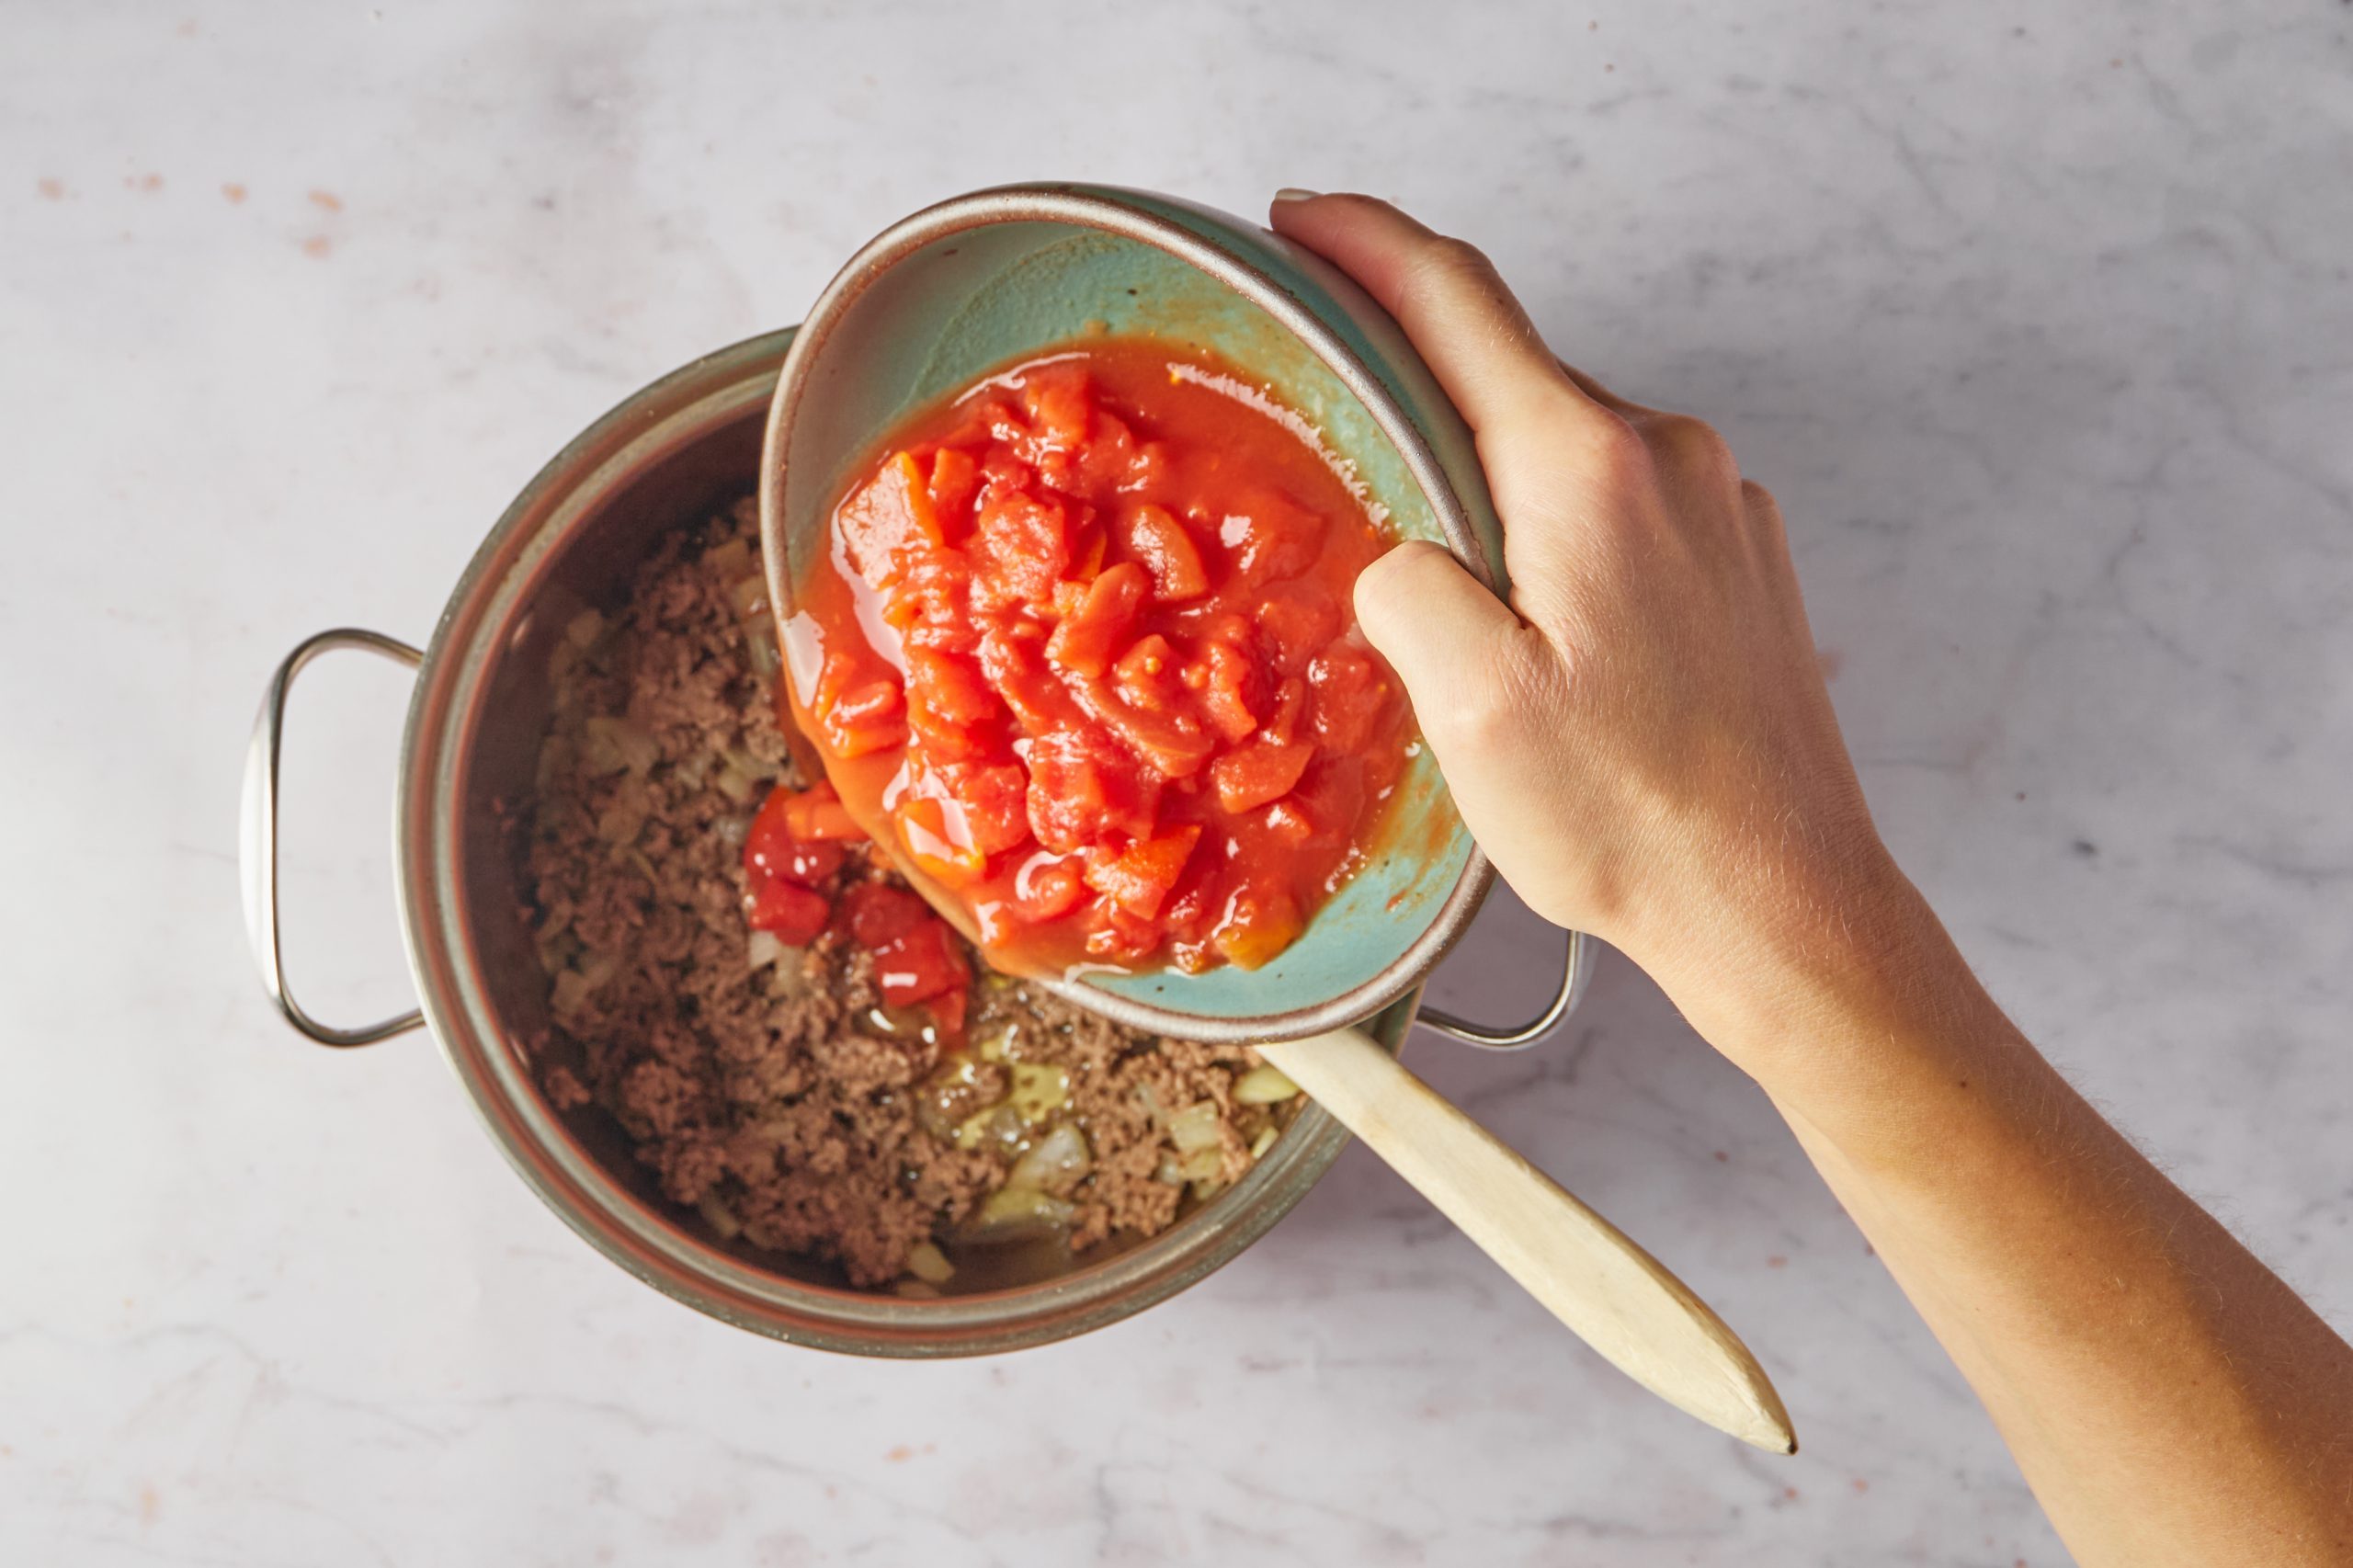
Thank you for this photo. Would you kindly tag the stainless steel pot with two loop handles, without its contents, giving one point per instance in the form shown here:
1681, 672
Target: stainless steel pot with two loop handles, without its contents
573, 540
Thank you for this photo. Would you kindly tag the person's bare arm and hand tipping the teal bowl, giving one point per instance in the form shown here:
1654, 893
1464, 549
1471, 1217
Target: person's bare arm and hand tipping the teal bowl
1646, 748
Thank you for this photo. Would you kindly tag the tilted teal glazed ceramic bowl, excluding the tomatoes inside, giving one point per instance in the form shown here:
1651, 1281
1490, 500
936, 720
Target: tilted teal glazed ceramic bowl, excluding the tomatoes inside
987, 279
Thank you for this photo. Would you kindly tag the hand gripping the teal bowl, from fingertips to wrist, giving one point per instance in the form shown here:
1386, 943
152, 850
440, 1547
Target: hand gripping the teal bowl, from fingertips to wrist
1641, 740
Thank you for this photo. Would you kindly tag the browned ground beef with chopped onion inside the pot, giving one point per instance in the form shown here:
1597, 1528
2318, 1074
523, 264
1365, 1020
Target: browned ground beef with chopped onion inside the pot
766, 1084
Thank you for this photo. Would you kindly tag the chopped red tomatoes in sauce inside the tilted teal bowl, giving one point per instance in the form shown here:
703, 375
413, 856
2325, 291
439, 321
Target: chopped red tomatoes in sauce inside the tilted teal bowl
1084, 642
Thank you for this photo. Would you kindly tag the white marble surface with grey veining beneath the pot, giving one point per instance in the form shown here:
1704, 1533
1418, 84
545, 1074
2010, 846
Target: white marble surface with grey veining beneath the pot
2037, 319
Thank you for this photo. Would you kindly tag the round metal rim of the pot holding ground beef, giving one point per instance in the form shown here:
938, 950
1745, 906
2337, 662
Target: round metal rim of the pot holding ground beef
484, 616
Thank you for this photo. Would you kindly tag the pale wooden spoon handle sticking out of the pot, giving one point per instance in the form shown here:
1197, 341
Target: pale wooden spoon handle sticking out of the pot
1615, 1296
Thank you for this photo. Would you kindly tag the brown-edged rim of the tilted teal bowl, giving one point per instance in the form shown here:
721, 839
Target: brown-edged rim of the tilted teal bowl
1135, 215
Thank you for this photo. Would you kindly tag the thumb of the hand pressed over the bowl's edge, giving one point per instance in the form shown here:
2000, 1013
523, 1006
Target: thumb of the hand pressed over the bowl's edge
1437, 627
